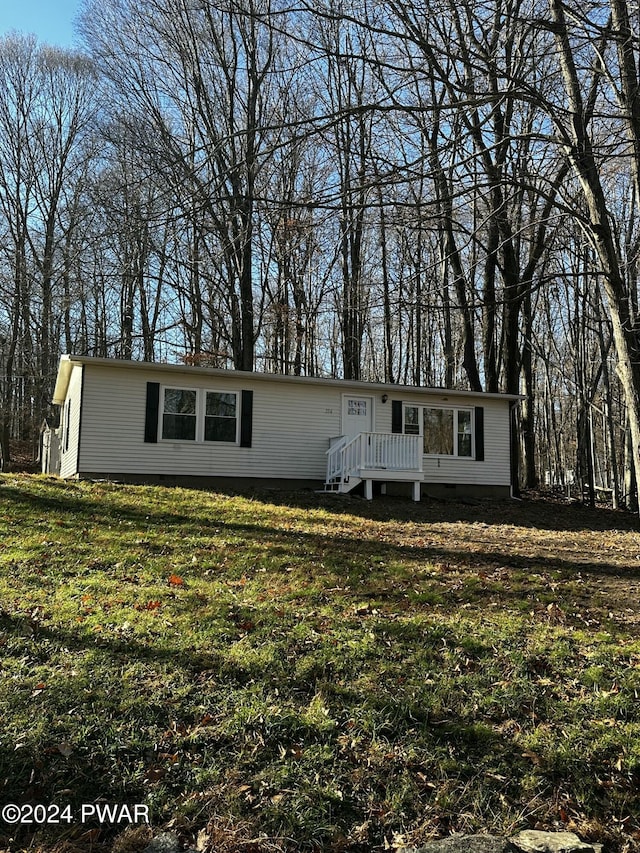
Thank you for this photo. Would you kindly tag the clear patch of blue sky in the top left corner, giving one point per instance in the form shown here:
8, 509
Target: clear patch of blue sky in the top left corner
50, 20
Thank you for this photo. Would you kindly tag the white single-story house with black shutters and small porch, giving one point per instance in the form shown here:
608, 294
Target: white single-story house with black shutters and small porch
143, 422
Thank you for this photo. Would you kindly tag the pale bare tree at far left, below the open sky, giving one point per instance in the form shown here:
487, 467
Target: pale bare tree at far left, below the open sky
46, 107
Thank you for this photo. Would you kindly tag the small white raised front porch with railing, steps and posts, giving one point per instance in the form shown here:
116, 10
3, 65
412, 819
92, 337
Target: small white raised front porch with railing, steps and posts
374, 457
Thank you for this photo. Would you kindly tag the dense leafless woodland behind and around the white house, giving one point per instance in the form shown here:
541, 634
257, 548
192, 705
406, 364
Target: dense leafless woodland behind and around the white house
438, 192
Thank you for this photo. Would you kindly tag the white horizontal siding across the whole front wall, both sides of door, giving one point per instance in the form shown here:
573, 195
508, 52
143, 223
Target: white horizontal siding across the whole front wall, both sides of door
292, 427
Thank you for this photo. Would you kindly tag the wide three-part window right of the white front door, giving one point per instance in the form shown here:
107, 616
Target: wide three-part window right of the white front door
445, 432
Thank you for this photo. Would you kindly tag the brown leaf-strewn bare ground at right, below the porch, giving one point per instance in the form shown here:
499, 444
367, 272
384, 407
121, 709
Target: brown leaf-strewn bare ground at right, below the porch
588, 560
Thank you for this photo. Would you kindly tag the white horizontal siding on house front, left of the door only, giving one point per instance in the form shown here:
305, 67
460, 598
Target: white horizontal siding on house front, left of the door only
291, 428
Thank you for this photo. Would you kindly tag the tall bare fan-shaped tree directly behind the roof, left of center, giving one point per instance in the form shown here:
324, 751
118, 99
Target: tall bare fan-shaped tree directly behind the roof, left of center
198, 83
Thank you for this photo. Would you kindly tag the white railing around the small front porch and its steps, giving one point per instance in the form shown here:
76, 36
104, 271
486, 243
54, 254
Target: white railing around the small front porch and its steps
374, 451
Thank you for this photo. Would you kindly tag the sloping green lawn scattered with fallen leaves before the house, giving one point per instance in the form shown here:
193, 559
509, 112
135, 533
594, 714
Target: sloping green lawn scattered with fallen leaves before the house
295, 673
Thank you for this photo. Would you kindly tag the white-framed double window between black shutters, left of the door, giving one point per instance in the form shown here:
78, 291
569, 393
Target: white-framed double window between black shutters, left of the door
190, 414
